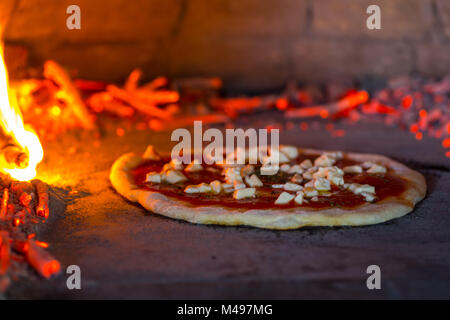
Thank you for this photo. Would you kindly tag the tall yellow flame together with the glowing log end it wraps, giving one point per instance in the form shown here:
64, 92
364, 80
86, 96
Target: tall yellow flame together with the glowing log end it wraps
22, 150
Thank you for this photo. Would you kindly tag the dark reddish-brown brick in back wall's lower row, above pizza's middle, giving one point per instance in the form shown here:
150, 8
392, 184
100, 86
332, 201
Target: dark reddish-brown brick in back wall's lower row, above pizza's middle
242, 63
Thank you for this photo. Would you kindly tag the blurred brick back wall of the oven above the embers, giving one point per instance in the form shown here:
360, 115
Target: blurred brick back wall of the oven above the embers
252, 44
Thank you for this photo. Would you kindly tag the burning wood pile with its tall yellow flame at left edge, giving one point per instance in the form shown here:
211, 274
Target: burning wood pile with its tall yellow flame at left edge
23, 204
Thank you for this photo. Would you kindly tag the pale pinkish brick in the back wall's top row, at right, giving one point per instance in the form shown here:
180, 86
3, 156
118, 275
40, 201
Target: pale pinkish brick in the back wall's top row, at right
399, 19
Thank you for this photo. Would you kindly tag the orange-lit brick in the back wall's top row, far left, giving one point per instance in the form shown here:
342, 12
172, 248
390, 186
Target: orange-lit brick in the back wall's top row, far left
101, 21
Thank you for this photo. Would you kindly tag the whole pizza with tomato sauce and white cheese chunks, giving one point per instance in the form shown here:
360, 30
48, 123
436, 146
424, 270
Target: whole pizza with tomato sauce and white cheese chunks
310, 188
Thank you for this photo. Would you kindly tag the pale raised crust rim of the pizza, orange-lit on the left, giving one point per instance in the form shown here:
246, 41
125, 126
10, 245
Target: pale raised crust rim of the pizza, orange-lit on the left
281, 219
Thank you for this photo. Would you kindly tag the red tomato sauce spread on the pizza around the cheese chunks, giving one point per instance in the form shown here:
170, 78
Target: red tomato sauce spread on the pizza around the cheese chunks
386, 185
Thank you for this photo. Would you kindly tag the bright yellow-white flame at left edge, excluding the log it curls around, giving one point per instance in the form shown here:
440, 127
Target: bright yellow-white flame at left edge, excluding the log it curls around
12, 123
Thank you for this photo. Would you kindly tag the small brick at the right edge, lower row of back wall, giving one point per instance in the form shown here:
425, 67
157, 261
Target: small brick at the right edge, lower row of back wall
433, 59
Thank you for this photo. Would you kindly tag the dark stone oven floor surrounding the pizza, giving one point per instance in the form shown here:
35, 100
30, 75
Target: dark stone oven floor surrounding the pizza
126, 252
